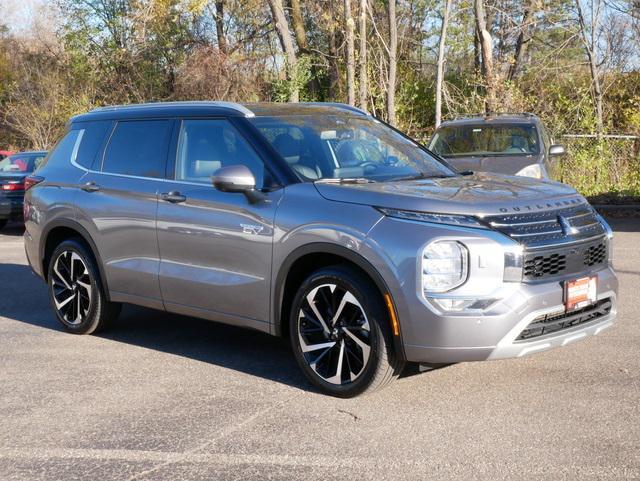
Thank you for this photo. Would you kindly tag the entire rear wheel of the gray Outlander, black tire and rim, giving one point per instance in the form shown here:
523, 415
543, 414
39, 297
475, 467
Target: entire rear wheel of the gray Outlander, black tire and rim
77, 269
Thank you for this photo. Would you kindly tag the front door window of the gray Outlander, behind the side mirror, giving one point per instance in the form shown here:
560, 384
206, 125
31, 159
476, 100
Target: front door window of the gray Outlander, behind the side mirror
204, 146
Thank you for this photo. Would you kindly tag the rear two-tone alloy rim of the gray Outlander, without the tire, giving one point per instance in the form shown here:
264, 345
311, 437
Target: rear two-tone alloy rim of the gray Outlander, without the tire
71, 287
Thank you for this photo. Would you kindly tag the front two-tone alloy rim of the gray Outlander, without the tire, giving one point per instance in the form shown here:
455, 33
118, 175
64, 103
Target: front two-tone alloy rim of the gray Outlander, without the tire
334, 334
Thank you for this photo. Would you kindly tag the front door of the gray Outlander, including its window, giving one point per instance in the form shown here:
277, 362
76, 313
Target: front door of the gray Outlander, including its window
215, 247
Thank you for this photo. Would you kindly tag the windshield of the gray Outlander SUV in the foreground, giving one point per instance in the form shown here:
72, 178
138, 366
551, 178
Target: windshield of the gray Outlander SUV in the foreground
347, 147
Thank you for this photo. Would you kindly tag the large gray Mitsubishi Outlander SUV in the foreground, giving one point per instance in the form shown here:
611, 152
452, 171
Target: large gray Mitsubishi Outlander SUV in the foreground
317, 223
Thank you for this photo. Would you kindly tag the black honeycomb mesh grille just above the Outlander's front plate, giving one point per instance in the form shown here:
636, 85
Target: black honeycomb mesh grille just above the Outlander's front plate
562, 261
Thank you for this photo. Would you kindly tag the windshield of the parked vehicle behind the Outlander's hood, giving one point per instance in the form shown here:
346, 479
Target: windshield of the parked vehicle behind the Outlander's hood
486, 140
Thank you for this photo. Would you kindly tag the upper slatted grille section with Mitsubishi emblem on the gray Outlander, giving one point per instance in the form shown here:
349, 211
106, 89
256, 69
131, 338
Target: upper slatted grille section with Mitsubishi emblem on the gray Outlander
538, 229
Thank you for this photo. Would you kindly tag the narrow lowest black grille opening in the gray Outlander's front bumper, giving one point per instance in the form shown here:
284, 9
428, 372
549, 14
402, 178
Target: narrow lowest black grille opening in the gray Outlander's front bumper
549, 323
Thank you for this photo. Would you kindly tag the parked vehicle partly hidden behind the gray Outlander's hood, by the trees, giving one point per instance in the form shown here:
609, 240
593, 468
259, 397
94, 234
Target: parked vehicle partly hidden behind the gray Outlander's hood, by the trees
514, 144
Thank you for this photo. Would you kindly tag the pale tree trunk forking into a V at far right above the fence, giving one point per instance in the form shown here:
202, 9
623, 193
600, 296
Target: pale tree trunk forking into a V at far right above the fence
589, 36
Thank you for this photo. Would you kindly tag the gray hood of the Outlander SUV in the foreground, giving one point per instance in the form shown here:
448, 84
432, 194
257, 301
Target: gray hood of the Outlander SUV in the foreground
478, 194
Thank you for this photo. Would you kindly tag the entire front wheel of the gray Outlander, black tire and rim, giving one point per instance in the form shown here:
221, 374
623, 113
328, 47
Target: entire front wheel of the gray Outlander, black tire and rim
374, 371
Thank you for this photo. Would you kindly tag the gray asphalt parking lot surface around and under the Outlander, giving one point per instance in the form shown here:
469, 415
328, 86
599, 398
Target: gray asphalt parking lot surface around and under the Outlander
161, 397
